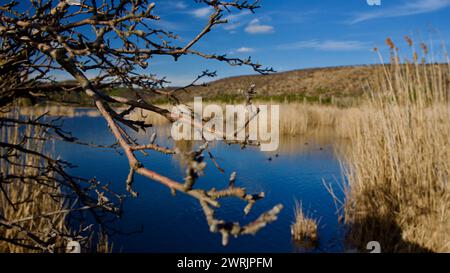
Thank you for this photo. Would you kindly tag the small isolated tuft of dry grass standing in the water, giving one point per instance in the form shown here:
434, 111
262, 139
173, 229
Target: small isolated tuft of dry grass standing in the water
304, 228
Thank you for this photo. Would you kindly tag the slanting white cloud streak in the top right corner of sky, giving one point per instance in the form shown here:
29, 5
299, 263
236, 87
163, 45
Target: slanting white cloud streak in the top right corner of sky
406, 9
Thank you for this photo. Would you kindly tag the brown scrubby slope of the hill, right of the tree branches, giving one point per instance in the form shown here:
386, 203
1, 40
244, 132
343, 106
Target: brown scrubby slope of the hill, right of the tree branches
333, 81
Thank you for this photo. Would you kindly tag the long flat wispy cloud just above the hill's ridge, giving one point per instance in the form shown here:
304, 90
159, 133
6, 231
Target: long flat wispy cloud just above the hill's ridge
328, 45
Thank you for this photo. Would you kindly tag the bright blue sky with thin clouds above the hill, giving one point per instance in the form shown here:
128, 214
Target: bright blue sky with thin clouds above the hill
293, 34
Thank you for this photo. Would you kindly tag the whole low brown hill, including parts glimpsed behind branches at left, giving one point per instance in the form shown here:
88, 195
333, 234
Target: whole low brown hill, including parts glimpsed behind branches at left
317, 84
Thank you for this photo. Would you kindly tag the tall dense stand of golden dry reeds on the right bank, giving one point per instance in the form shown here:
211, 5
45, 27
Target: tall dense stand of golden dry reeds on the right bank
399, 166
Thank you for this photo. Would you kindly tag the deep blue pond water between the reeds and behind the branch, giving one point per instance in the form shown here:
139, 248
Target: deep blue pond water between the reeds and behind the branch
177, 224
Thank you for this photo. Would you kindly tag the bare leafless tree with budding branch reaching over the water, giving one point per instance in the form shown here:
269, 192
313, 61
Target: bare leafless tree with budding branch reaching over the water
113, 39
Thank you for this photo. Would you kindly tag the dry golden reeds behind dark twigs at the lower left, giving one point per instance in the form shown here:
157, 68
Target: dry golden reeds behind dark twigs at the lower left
34, 212
